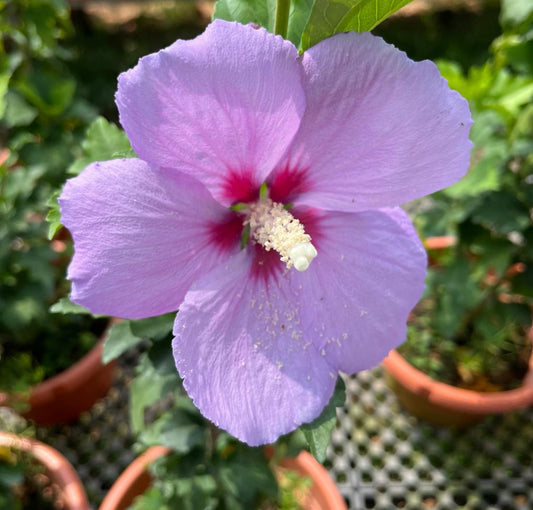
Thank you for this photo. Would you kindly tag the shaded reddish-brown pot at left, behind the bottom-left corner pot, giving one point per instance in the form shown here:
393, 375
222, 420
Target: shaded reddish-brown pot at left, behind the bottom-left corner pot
63, 397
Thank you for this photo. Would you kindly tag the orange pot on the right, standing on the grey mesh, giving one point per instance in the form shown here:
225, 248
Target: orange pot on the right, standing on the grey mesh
442, 404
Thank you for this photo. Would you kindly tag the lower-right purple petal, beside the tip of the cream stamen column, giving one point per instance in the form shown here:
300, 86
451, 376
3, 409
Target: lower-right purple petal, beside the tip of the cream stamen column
368, 275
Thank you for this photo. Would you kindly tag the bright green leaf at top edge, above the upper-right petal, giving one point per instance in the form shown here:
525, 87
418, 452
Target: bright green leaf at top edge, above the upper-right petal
330, 17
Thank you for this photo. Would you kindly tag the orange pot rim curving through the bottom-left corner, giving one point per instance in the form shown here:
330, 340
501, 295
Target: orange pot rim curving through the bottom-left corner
61, 473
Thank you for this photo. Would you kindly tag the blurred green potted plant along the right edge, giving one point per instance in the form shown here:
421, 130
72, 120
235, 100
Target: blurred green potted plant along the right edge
471, 329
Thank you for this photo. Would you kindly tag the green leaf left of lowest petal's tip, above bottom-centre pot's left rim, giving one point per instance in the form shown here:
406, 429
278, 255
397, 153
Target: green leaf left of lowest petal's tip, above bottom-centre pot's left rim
176, 430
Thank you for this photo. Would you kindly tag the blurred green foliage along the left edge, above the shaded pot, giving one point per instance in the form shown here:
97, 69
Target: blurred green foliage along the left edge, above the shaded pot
42, 117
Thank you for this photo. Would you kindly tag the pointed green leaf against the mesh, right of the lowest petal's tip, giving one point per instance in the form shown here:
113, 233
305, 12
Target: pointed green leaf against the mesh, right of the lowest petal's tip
318, 432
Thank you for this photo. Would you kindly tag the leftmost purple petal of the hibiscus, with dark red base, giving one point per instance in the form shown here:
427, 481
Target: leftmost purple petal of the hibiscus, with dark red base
141, 237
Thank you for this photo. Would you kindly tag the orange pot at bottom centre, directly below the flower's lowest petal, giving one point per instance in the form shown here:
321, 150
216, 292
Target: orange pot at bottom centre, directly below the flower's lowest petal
322, 495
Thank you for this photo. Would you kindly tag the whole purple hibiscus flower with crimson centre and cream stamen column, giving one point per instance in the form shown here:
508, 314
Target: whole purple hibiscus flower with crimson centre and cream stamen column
264, 206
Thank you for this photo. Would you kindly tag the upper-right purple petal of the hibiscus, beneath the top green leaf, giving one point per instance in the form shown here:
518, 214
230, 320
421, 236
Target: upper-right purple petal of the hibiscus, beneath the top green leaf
379, 129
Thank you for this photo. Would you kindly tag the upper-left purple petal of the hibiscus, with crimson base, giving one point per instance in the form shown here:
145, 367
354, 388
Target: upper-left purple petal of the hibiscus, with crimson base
223, 107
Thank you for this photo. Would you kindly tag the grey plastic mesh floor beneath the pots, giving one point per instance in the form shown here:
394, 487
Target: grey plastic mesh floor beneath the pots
380, 456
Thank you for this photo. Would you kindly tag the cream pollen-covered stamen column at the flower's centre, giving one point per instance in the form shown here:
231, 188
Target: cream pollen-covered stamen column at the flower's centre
275, 228
